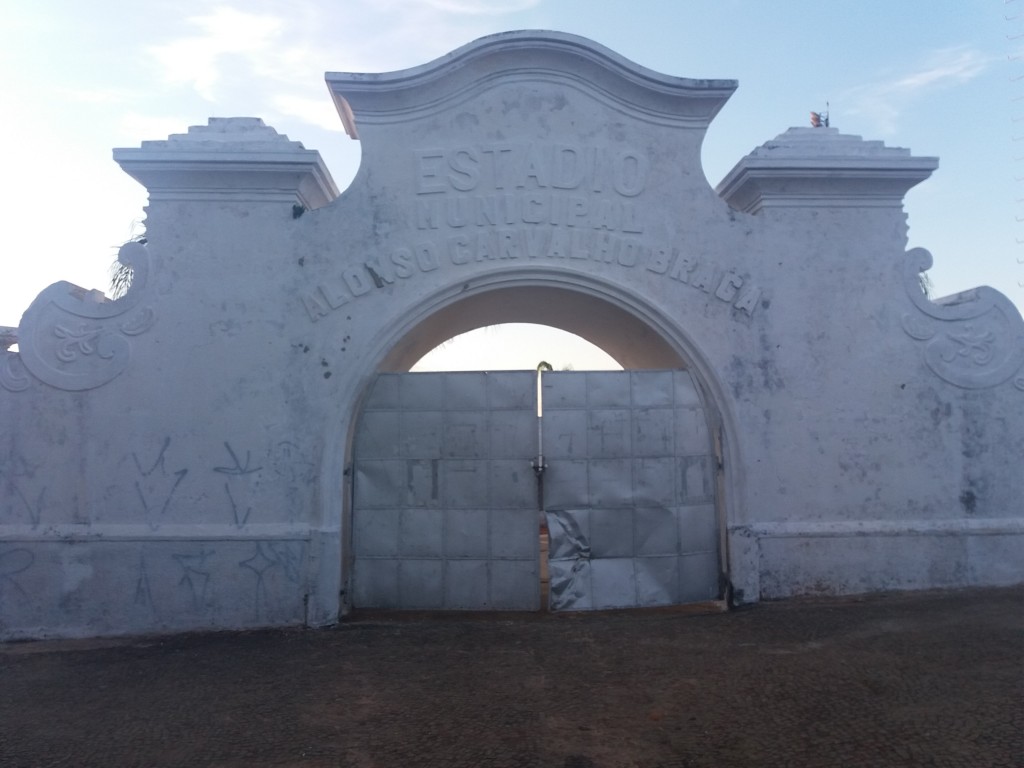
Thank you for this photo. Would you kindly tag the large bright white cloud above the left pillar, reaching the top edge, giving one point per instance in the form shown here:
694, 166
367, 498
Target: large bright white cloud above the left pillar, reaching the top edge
276, 60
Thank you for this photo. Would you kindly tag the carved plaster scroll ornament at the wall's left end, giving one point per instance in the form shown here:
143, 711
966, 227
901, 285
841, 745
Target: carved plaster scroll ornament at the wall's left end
75, 339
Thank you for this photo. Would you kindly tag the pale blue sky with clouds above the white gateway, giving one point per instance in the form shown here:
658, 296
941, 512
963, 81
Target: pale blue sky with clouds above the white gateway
79, 79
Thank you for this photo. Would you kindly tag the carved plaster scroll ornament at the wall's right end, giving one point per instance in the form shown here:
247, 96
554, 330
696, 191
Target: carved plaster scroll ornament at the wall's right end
974, 340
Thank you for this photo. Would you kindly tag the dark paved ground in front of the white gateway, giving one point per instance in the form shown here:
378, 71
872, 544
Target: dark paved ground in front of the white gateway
928, 679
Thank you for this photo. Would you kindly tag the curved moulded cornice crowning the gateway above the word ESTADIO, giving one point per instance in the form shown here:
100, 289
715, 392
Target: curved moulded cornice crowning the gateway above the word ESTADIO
551, 58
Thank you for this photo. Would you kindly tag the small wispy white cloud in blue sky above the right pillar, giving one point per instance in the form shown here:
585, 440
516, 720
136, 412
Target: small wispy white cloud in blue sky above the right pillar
885, 101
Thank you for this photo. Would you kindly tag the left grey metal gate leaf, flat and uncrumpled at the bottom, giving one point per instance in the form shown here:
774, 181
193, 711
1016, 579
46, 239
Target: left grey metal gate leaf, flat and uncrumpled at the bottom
445, 513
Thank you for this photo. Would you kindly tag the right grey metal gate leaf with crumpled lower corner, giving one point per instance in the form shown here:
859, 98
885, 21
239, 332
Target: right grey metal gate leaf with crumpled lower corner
629, 491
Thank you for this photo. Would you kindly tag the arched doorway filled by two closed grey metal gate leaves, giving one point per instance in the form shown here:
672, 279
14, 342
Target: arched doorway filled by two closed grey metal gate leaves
445, 508
